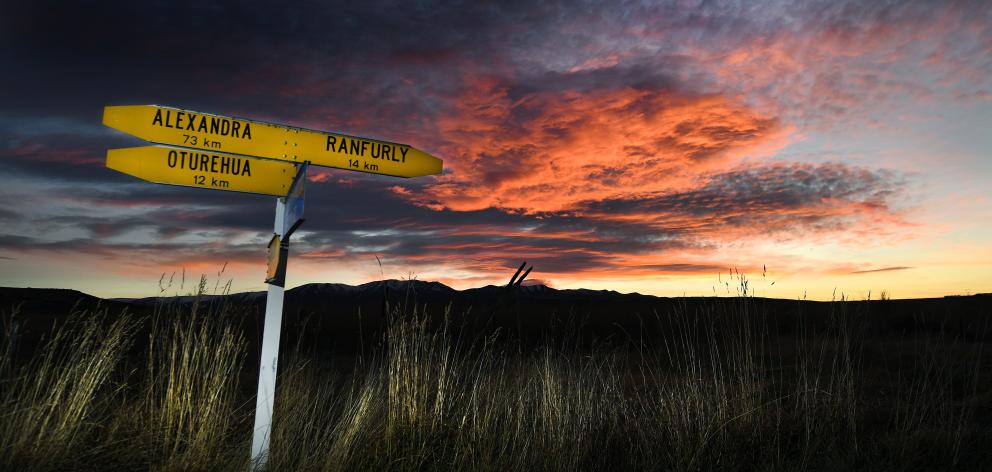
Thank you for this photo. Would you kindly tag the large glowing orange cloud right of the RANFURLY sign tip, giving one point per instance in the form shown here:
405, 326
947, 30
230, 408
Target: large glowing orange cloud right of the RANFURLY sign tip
548, 151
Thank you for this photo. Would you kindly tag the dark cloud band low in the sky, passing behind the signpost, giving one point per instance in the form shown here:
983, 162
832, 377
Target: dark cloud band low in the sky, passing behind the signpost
344, 221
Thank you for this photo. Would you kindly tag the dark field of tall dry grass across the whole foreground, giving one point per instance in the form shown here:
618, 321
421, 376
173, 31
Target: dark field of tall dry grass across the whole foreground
700, 384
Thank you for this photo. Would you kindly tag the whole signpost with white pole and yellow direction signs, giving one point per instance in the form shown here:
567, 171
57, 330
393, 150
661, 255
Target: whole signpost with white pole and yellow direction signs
213, 151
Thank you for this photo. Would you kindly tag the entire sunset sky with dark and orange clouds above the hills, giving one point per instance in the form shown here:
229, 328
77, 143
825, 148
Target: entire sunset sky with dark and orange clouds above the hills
820, 148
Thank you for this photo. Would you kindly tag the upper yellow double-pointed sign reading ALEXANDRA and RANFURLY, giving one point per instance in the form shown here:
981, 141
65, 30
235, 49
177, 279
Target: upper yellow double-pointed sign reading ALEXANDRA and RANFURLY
234, 135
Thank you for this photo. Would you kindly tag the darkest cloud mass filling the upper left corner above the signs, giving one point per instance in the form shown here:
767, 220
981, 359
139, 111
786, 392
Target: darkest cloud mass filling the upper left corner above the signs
75, 57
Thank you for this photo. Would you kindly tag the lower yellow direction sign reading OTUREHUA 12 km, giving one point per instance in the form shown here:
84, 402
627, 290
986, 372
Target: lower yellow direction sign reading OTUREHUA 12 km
193, 168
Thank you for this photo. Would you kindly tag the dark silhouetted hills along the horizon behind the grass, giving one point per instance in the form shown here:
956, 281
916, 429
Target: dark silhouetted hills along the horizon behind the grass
339, 316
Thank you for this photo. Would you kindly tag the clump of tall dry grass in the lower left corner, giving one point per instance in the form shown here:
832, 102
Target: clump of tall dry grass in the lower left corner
51, 406
